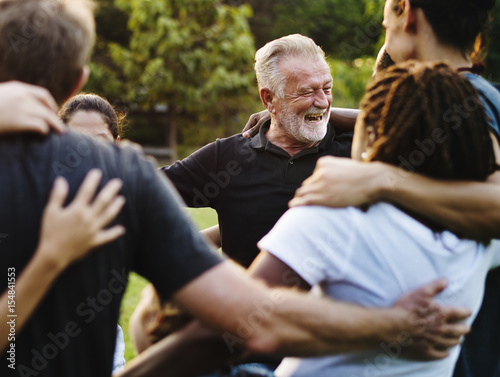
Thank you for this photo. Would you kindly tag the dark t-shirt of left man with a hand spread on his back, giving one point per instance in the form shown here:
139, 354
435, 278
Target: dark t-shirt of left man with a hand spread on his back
73, 331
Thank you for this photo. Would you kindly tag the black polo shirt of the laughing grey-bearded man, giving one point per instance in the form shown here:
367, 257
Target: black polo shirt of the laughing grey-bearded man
249, 182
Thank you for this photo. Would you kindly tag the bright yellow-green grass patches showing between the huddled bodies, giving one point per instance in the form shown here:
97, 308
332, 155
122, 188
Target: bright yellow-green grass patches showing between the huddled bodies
203, 218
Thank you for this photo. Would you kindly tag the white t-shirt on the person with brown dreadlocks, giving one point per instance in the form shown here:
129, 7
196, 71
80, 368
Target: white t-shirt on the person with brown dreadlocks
372, 258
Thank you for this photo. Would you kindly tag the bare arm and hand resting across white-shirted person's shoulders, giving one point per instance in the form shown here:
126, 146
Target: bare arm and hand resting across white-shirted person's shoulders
472, 208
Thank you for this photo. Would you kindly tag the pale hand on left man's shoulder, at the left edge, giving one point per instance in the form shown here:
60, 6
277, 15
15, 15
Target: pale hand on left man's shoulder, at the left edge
27, 107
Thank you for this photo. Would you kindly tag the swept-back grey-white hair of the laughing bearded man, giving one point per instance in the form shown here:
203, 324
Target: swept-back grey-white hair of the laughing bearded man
268, 58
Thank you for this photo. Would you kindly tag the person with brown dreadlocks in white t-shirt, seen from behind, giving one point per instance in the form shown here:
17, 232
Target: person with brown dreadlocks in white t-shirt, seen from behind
372, 256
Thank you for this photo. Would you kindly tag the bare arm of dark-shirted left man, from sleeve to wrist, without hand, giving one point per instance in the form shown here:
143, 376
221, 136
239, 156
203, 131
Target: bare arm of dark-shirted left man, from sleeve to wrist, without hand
283, 321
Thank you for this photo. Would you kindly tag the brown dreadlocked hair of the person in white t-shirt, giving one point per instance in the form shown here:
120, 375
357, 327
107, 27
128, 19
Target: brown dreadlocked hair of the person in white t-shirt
412, 108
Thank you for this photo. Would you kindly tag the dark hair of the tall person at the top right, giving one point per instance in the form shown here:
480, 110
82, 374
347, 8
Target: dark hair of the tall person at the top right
457, 23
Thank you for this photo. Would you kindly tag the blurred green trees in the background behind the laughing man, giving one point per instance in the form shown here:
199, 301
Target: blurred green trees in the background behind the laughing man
183, 69
